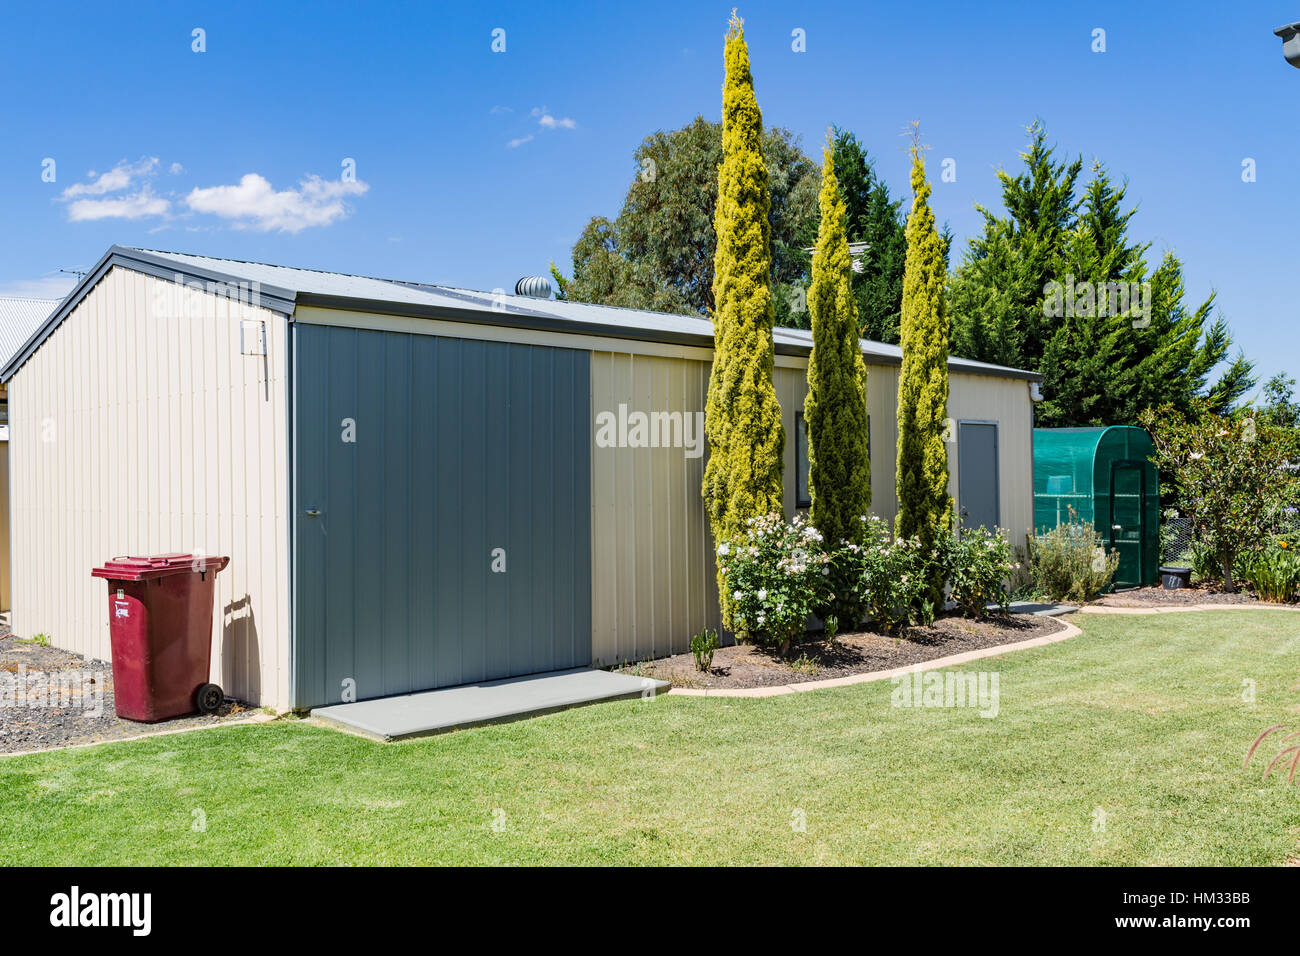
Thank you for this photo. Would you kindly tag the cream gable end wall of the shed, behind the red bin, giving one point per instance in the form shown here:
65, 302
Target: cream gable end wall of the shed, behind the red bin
138, 427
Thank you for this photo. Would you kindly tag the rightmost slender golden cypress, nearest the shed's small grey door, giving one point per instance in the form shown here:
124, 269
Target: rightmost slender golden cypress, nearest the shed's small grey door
925, 507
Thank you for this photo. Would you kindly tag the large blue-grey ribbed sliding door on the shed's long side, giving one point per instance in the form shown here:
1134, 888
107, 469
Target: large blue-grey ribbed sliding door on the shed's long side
450, 482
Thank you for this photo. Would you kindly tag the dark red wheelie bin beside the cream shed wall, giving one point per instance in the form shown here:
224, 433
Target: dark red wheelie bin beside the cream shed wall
161, 625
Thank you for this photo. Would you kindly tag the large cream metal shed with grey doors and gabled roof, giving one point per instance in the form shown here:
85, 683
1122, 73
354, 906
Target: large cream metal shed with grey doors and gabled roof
417, 485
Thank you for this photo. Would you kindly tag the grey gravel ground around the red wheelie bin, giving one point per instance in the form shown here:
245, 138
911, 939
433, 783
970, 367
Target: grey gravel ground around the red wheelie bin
51, 699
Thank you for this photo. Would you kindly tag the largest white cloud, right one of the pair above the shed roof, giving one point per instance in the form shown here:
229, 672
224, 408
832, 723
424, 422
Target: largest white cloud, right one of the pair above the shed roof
254, 205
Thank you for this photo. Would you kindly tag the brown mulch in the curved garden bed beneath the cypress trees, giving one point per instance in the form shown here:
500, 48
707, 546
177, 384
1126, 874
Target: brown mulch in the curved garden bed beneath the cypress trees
747, 665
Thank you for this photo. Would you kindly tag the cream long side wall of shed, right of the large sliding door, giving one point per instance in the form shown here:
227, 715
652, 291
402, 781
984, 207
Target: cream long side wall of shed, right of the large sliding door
653, 579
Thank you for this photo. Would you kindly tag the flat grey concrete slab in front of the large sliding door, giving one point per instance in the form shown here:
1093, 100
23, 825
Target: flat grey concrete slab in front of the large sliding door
495, 702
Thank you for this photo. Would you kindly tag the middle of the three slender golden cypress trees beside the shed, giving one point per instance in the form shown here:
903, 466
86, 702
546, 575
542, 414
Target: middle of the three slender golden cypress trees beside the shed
837, 405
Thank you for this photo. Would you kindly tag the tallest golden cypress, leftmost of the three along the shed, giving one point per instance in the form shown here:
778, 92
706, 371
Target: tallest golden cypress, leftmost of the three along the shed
743, 422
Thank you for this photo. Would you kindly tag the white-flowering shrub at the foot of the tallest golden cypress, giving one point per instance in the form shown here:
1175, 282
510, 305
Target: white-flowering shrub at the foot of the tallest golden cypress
777, 576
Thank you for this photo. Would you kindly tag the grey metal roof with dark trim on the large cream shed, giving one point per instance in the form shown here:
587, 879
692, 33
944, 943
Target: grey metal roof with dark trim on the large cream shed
283, 289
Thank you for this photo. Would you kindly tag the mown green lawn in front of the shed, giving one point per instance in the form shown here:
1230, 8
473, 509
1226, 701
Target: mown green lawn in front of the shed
1142, 717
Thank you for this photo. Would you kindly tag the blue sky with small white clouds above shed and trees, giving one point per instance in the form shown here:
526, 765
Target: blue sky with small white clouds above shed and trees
239, 152
